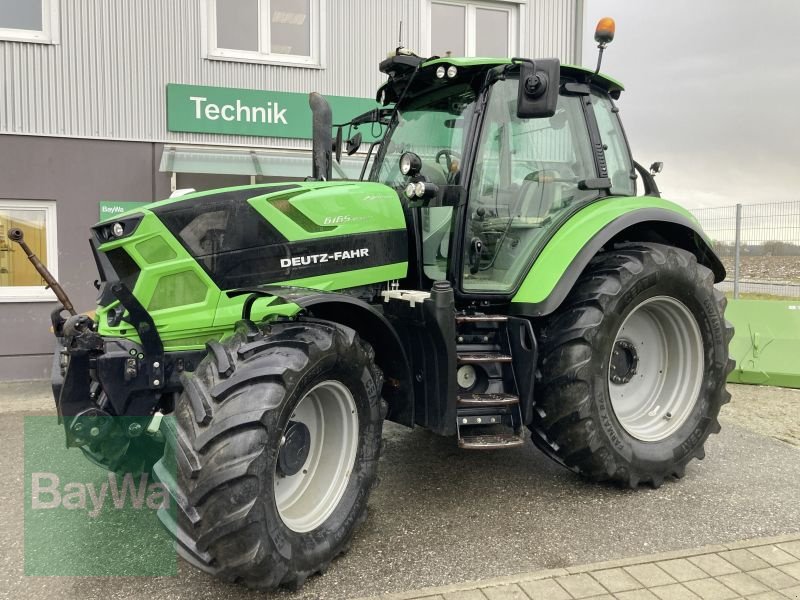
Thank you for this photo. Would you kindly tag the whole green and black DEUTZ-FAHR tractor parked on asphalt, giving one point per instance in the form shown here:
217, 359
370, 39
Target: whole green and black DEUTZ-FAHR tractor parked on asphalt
492, 273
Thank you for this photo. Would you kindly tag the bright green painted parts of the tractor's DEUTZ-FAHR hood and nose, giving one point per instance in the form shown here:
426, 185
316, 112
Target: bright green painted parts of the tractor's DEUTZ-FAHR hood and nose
201, 311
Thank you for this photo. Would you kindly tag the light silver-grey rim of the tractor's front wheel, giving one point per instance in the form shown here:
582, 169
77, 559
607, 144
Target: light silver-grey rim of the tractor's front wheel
307, 498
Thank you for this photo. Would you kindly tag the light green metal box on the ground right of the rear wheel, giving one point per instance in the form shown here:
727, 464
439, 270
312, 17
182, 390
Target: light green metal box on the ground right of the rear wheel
766, 343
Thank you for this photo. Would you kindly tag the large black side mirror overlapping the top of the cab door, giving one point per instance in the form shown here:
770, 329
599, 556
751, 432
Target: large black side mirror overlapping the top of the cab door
538, 87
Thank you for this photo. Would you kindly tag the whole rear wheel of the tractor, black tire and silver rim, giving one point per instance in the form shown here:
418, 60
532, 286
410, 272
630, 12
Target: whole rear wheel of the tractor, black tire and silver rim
633, 367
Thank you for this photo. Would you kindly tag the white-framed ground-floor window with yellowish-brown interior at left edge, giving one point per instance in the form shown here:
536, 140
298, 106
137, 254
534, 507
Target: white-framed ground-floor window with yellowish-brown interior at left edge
19, 281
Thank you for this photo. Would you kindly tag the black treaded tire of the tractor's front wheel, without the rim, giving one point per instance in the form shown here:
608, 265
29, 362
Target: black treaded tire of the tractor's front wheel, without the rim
224, 442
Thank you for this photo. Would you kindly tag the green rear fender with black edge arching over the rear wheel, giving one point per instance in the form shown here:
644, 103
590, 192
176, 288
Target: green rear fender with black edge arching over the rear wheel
568, 252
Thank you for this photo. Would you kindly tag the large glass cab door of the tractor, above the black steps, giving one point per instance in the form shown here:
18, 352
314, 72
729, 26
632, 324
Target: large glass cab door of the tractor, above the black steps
525, 179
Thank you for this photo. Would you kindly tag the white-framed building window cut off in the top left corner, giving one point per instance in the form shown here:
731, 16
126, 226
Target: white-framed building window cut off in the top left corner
29, 21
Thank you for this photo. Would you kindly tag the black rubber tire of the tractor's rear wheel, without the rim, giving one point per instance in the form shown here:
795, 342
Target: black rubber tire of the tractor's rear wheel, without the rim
574, 418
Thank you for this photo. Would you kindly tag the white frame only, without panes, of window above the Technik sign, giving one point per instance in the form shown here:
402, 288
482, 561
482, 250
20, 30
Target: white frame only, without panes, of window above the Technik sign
263, 55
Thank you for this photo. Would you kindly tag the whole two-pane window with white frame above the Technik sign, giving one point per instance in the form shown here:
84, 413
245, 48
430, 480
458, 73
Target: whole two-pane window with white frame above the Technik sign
271, 31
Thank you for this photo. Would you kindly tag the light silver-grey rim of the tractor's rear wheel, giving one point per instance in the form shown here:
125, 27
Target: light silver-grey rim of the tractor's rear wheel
656, 368
